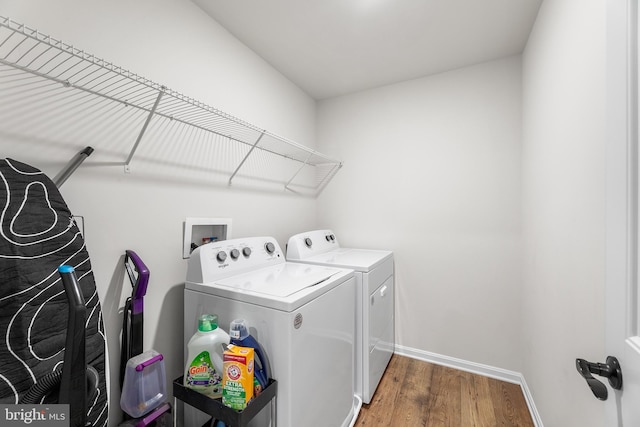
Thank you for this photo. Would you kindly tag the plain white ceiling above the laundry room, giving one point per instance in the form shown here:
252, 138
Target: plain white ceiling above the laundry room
335, 47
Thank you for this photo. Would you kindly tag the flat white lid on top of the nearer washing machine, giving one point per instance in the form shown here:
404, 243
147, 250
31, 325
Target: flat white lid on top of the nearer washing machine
281, 280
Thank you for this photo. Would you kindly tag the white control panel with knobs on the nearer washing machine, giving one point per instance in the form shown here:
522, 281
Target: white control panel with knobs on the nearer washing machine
217, 260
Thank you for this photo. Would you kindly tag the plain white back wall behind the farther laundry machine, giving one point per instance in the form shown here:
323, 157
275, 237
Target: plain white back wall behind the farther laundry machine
432, 172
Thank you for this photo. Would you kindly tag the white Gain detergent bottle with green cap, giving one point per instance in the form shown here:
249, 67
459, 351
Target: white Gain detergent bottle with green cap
203, 371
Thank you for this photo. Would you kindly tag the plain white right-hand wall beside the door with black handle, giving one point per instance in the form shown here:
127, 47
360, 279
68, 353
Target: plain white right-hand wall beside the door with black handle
564, 207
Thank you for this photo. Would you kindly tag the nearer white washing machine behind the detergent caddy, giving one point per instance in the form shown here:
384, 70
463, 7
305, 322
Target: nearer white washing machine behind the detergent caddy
301, 314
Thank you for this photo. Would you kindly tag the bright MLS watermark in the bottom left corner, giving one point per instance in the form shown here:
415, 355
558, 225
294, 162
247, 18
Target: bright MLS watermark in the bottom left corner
34, 415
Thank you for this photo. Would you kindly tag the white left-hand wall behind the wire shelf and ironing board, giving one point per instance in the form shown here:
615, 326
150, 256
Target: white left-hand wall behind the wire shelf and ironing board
173, 43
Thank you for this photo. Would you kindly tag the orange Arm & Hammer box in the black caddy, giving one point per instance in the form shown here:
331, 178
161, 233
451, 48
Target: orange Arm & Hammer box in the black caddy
237, 376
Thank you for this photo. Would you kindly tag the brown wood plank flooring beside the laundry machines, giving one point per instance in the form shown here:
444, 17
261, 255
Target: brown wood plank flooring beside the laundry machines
414, 393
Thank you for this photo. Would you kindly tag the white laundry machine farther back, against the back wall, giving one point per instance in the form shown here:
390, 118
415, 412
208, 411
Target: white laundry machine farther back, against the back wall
375, 337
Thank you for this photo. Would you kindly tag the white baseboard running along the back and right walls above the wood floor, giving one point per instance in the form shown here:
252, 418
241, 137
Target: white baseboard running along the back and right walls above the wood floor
475, 368
